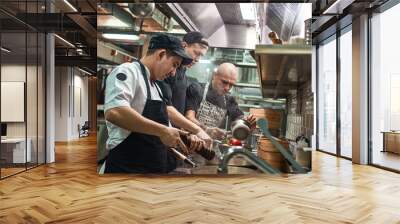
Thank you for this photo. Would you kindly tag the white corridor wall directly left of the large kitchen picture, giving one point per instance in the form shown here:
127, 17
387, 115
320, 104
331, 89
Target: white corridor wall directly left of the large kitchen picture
70, 83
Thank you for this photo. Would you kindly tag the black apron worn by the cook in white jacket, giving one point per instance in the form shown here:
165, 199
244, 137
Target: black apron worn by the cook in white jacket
142, 153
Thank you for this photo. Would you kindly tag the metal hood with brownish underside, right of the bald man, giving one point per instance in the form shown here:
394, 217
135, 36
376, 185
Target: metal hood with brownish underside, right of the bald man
283, 69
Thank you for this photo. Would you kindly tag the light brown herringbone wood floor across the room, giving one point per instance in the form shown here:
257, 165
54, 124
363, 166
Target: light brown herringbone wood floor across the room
70, 191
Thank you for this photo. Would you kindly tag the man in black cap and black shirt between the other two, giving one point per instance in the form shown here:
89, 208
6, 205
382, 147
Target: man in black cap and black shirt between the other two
174, 87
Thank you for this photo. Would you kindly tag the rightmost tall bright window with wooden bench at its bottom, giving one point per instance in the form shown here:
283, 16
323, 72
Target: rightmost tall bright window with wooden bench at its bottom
385, 87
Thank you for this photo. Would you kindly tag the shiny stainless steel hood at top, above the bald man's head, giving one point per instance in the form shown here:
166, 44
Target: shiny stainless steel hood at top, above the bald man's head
221, 23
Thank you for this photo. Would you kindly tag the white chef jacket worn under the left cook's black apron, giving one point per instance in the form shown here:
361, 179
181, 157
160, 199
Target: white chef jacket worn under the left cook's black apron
125, 86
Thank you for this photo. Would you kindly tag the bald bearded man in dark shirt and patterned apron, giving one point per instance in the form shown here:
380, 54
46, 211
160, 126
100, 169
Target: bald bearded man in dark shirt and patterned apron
207, 105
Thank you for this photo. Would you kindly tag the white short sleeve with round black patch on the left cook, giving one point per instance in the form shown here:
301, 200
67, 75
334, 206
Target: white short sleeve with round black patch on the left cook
120, 88
